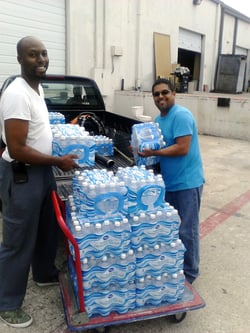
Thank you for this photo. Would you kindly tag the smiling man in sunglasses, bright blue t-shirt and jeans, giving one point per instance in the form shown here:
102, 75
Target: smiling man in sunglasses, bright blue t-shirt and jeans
181, 168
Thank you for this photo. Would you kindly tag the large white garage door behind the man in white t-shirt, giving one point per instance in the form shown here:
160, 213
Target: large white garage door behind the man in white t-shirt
44, 19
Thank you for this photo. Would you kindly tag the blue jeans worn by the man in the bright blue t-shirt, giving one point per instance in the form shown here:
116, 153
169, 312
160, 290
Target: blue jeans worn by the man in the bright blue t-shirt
187, 202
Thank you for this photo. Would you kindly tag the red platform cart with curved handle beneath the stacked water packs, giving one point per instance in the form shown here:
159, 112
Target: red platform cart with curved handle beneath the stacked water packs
75, 314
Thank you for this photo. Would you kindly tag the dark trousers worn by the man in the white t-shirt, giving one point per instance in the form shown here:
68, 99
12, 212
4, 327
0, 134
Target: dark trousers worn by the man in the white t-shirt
29, 232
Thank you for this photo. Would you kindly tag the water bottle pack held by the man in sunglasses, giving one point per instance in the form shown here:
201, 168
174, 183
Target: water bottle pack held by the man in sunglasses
146, 135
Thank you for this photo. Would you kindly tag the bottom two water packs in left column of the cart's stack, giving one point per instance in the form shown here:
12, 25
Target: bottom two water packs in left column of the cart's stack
109, 284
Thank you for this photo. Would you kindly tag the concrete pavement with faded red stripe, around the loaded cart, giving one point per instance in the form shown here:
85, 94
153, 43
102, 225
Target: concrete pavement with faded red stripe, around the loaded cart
224, 282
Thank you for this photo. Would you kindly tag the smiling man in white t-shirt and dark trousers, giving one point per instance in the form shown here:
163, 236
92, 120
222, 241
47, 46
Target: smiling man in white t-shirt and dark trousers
26, 182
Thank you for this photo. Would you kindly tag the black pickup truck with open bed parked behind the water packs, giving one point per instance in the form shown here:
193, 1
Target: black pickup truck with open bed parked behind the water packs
79, 100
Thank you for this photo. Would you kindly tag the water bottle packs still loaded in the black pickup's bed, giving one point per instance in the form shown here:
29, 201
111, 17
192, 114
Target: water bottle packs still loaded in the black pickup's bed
74, 139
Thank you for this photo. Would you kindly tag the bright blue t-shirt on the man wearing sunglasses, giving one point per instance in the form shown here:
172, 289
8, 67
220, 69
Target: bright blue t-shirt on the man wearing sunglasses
180, 172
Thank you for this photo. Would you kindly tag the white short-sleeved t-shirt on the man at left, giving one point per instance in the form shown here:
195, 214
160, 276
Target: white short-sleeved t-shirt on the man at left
20, 101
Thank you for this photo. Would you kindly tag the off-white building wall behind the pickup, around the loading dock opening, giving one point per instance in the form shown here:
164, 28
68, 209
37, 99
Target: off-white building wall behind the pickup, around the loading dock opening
96, 28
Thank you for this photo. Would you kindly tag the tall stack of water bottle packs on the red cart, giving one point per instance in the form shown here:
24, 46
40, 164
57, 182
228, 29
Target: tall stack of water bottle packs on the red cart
128, 237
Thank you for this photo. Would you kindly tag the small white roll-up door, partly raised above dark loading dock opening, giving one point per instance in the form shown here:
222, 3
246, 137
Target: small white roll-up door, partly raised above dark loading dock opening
189, 40
